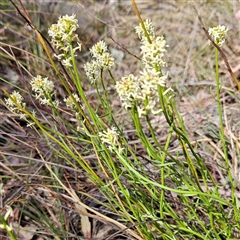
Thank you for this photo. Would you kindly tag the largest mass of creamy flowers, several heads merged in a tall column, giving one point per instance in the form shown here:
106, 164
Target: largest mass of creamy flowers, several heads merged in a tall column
143, 90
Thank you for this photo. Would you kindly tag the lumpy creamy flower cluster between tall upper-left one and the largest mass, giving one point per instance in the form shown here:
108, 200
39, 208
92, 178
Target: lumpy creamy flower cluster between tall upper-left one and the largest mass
102, 60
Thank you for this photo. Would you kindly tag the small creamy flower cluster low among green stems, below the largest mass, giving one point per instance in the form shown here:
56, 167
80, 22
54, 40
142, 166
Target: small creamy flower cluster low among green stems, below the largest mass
110, 137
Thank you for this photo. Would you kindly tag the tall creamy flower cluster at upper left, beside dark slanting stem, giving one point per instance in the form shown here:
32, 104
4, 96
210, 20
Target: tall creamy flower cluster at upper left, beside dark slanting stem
63, 35
